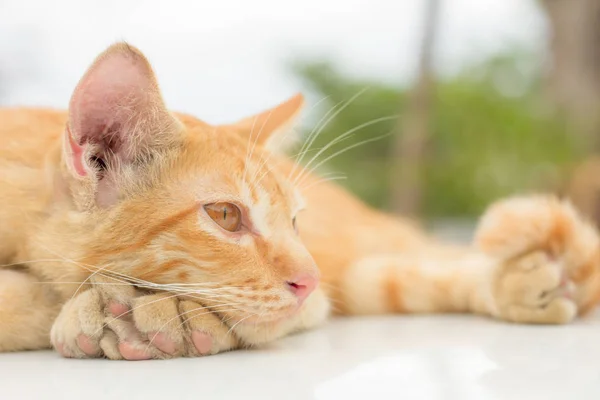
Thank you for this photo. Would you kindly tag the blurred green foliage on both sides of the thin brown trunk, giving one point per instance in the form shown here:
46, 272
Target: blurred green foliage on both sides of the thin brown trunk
490, 134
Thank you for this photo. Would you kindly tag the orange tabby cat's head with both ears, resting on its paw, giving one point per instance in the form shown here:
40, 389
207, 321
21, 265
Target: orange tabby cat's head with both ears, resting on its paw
171, 200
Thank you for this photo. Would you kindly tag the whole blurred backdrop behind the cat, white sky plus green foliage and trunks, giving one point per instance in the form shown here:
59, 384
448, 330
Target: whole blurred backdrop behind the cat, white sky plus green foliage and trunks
476, 99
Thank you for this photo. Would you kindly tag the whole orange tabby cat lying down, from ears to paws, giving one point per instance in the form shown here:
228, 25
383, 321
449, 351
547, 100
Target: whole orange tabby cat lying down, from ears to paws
131, 232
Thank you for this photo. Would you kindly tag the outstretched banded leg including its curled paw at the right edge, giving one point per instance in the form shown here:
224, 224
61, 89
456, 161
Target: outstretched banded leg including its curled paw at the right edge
536, 262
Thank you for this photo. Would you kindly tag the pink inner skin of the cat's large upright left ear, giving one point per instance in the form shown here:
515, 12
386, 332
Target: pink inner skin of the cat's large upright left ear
111, 105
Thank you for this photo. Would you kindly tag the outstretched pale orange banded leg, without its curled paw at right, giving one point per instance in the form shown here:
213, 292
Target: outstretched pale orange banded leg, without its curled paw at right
433, 281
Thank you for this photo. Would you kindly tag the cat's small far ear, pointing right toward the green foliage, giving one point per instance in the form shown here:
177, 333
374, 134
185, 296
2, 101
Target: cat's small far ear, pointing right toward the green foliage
273, 129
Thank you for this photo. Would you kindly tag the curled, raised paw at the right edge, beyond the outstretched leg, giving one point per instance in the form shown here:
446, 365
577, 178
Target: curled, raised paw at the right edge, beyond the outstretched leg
548, 260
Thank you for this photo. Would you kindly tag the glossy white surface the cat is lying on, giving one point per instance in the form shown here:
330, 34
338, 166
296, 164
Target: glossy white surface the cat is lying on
397, 357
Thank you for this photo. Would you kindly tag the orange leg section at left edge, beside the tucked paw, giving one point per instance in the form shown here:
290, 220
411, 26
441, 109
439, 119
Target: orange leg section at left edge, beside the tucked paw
27, 310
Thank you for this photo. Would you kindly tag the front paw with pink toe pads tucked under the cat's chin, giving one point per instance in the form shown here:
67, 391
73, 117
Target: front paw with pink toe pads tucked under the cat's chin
131, 327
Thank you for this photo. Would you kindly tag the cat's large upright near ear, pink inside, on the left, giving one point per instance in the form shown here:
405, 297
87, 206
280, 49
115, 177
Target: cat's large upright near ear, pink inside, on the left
116, 118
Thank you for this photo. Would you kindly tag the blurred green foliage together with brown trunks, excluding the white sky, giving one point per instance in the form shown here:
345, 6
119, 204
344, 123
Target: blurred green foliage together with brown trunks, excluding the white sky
516, 122
